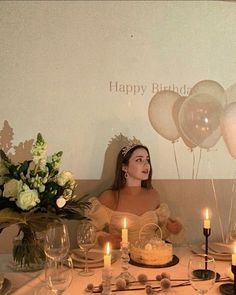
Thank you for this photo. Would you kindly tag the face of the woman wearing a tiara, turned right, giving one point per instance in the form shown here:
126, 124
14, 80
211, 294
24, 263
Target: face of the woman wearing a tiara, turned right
138, 168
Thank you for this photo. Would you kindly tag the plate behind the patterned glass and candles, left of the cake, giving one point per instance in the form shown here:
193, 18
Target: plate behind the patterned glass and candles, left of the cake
95, 258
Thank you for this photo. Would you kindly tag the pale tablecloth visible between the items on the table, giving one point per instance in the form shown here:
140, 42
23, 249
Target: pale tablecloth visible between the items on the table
30, 283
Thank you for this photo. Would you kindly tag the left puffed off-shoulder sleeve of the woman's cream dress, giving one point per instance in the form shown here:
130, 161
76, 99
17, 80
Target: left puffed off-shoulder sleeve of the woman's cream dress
99, 214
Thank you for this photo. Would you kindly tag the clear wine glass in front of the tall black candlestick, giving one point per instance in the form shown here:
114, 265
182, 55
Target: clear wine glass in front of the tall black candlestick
202, 272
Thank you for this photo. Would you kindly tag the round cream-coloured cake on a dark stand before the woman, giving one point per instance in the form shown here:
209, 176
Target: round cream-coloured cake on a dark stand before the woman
152, 252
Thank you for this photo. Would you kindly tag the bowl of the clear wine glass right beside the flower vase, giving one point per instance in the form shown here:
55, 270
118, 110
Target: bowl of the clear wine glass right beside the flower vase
57, 242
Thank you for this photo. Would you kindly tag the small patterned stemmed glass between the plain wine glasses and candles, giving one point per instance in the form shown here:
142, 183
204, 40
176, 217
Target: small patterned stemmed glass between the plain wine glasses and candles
86, 238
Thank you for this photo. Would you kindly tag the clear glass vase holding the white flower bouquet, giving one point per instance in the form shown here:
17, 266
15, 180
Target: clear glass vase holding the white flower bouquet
28, 253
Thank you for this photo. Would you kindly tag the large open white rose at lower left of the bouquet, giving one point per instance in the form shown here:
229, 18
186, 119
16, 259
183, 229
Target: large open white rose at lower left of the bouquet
27, 199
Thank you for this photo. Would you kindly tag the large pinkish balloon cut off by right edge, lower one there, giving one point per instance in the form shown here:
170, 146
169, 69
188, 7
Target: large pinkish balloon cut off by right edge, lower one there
228, 127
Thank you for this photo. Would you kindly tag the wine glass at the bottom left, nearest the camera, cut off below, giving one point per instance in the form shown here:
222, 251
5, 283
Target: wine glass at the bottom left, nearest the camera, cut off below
59, 274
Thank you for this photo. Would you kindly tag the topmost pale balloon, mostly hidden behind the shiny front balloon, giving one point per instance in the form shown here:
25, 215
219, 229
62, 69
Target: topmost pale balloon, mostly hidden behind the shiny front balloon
210, 87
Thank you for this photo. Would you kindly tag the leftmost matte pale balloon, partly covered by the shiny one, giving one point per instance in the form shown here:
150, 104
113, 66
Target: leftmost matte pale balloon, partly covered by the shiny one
160, 114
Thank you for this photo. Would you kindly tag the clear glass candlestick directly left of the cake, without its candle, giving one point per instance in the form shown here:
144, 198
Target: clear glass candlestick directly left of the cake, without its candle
125, 274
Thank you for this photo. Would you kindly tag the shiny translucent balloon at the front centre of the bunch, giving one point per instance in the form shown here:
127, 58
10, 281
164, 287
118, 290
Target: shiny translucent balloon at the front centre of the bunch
199, 119
